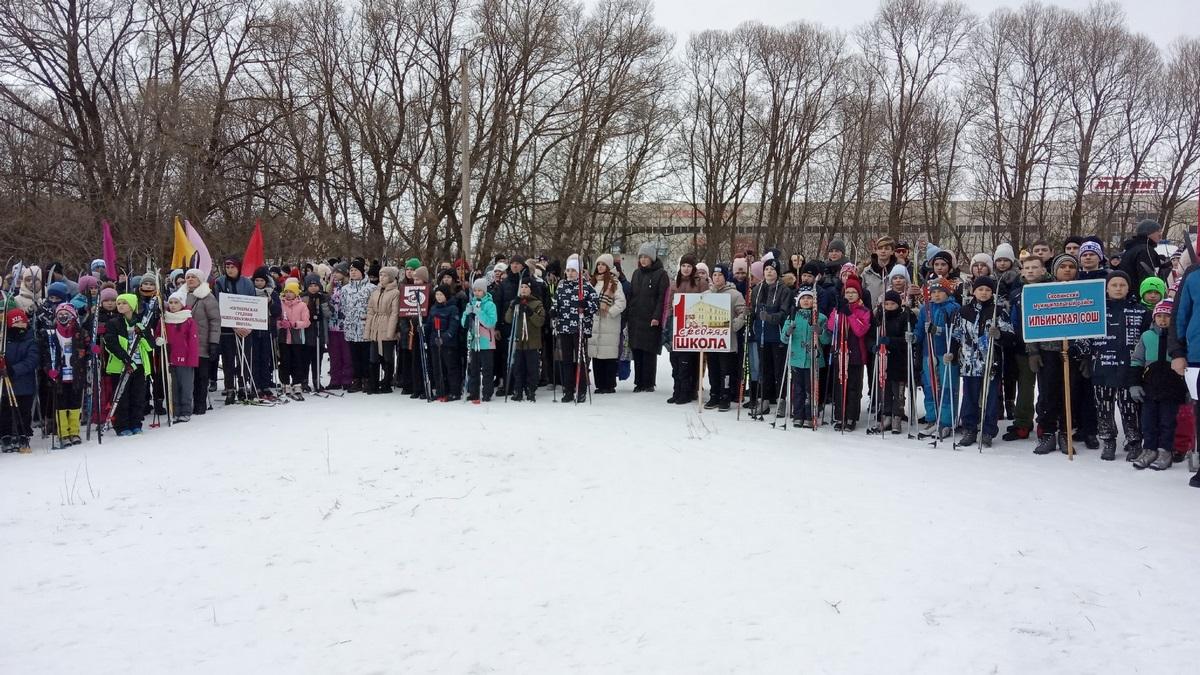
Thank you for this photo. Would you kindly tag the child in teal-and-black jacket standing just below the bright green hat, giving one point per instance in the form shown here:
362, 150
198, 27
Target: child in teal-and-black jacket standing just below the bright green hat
1161, 392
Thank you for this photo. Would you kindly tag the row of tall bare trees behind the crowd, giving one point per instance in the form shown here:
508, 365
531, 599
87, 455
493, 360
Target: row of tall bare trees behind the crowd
341, 126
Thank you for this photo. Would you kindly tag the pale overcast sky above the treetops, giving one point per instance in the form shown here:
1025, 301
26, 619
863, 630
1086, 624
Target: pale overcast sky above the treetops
1163, 21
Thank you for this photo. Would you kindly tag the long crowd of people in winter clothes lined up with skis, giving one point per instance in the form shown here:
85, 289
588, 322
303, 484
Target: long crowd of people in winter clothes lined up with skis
105, 350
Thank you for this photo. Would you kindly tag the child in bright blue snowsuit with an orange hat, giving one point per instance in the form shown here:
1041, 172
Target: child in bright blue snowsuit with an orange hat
940, 377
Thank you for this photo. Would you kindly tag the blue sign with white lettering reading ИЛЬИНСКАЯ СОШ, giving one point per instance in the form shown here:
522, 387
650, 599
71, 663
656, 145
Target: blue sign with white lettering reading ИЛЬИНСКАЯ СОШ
1065, 310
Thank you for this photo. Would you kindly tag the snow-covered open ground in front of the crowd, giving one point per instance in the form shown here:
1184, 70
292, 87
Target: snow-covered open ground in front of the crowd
383, 535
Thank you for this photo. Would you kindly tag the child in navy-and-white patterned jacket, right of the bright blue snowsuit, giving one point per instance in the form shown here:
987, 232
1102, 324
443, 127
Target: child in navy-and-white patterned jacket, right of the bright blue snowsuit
980, 333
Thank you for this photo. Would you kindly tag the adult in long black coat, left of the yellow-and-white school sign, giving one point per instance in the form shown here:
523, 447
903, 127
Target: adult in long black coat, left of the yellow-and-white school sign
644, 310
